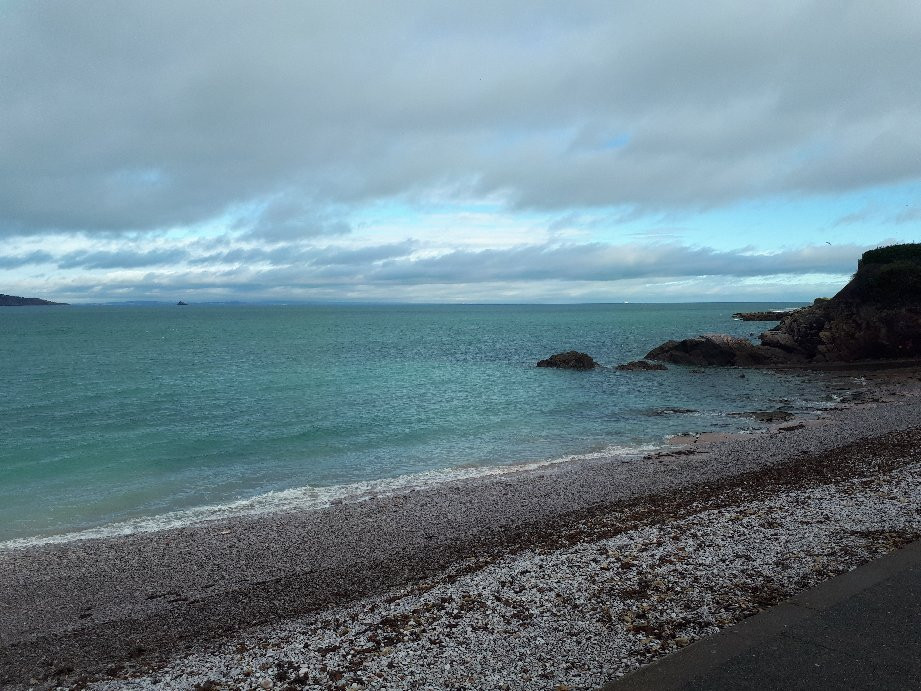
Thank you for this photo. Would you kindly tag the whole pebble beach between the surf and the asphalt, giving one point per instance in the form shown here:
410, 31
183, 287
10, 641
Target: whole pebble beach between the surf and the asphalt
562, 577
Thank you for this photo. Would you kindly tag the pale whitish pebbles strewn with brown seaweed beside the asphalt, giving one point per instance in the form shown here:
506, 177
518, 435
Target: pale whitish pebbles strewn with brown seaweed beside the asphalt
582, 613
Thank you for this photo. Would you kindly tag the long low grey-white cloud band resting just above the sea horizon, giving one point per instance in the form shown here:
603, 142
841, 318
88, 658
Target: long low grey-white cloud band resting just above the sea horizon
569, 272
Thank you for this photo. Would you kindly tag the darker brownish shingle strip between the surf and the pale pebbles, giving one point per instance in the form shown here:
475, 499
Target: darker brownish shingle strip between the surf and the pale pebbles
122, 607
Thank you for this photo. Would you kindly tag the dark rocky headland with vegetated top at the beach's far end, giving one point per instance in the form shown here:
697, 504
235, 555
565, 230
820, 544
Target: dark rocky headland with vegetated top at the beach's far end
876, 316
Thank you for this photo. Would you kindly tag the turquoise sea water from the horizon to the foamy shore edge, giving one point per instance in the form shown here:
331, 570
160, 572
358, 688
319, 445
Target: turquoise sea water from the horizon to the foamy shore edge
113, 414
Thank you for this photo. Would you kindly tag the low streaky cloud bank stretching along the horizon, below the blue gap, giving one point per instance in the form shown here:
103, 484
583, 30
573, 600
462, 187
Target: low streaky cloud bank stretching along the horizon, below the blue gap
407, 270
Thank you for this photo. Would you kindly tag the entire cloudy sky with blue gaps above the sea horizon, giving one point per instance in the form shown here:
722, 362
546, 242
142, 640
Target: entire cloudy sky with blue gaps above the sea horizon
454, 152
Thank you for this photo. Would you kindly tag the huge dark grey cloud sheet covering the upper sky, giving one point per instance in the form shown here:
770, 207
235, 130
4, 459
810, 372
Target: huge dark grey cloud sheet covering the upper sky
129, 115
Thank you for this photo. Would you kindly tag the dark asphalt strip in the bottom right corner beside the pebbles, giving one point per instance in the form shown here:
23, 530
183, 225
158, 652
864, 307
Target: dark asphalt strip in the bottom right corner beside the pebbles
861, 630
